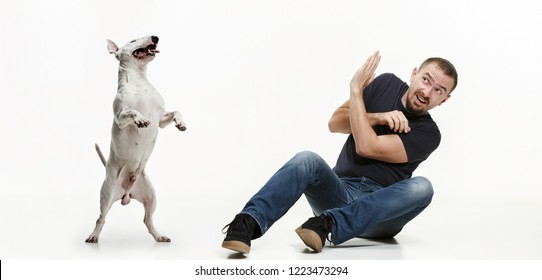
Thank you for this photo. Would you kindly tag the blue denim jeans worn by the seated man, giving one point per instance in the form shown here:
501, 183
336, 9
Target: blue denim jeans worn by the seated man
360, 207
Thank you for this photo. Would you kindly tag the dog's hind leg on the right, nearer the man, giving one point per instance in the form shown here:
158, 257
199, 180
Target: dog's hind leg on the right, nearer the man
143, 192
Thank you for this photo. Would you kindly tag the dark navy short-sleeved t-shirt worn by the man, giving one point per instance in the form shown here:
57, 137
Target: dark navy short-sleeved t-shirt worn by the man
383, 95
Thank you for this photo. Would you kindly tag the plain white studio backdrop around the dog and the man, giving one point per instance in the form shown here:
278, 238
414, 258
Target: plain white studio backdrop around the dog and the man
256, 82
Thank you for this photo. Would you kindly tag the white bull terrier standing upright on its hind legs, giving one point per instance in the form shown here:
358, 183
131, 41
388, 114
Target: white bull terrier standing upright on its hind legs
139, 112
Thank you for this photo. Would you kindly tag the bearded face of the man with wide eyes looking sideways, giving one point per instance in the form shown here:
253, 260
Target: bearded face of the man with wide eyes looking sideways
429, 87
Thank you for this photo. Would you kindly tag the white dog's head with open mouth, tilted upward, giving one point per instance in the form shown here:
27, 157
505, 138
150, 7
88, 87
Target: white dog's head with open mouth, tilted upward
137, 51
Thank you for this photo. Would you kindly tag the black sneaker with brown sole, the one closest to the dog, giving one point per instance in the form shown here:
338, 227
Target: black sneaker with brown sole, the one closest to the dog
240, 231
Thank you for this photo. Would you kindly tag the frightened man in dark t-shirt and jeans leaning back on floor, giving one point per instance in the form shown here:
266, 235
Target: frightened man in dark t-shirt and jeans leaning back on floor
371, 192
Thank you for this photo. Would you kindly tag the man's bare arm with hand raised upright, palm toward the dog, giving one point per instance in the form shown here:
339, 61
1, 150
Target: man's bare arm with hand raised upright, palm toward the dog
388, 148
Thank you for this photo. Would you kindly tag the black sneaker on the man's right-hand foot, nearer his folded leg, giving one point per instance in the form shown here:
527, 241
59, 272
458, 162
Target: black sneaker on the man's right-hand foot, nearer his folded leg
315, 231
